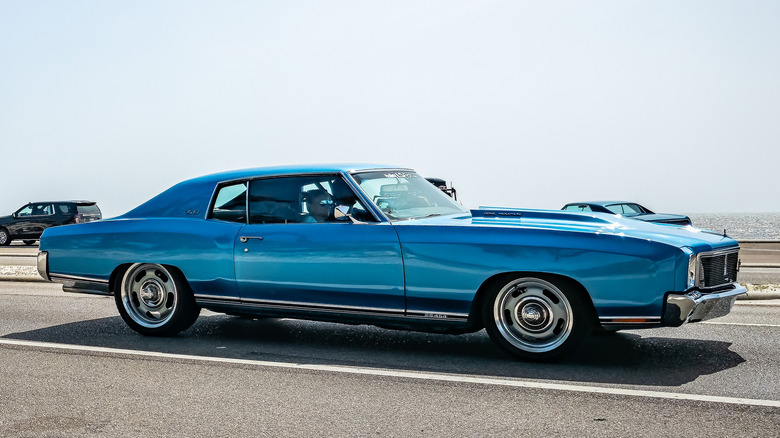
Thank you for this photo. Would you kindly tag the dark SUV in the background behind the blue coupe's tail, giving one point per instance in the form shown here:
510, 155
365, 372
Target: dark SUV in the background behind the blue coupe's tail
28, 222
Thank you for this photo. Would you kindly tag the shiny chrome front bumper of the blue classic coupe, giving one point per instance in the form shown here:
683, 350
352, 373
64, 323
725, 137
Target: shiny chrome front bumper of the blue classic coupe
696, 306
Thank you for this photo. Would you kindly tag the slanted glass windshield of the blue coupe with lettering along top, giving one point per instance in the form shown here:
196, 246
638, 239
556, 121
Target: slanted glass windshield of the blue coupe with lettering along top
406, 195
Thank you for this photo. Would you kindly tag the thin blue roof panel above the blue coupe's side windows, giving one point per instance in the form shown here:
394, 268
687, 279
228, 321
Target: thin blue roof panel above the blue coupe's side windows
293, 170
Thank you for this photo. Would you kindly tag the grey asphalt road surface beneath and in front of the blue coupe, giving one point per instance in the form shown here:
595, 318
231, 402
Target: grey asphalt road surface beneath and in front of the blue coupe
69, 366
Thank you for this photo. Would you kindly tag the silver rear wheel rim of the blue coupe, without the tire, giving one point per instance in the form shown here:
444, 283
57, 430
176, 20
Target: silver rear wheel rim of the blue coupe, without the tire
149, 295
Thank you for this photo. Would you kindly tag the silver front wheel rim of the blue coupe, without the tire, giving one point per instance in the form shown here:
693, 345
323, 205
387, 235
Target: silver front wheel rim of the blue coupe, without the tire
533, 315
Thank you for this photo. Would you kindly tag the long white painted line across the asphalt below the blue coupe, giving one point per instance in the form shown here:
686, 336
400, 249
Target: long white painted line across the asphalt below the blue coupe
435, 377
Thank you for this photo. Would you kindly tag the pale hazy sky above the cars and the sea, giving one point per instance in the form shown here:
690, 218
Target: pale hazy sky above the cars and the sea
672, 104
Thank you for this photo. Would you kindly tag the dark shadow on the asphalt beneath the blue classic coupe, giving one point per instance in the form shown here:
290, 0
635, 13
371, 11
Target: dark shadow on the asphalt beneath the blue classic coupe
616, 358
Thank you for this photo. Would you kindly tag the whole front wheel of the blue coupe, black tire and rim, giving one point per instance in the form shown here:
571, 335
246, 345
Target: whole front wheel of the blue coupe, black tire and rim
535, 319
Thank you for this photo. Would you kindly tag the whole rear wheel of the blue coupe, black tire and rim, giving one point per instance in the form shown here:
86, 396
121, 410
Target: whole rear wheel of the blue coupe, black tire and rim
155, 300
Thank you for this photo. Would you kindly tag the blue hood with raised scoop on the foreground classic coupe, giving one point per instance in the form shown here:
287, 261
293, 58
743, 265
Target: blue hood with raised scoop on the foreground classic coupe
697, 239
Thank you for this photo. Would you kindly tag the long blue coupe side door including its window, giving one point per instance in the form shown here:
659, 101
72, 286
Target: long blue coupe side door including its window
285, 258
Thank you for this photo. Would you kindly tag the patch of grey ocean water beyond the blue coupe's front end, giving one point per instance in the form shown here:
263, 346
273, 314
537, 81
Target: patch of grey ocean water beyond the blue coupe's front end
741, 226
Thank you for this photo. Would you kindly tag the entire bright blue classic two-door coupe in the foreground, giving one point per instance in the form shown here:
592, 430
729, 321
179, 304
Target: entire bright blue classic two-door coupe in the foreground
370, 245
